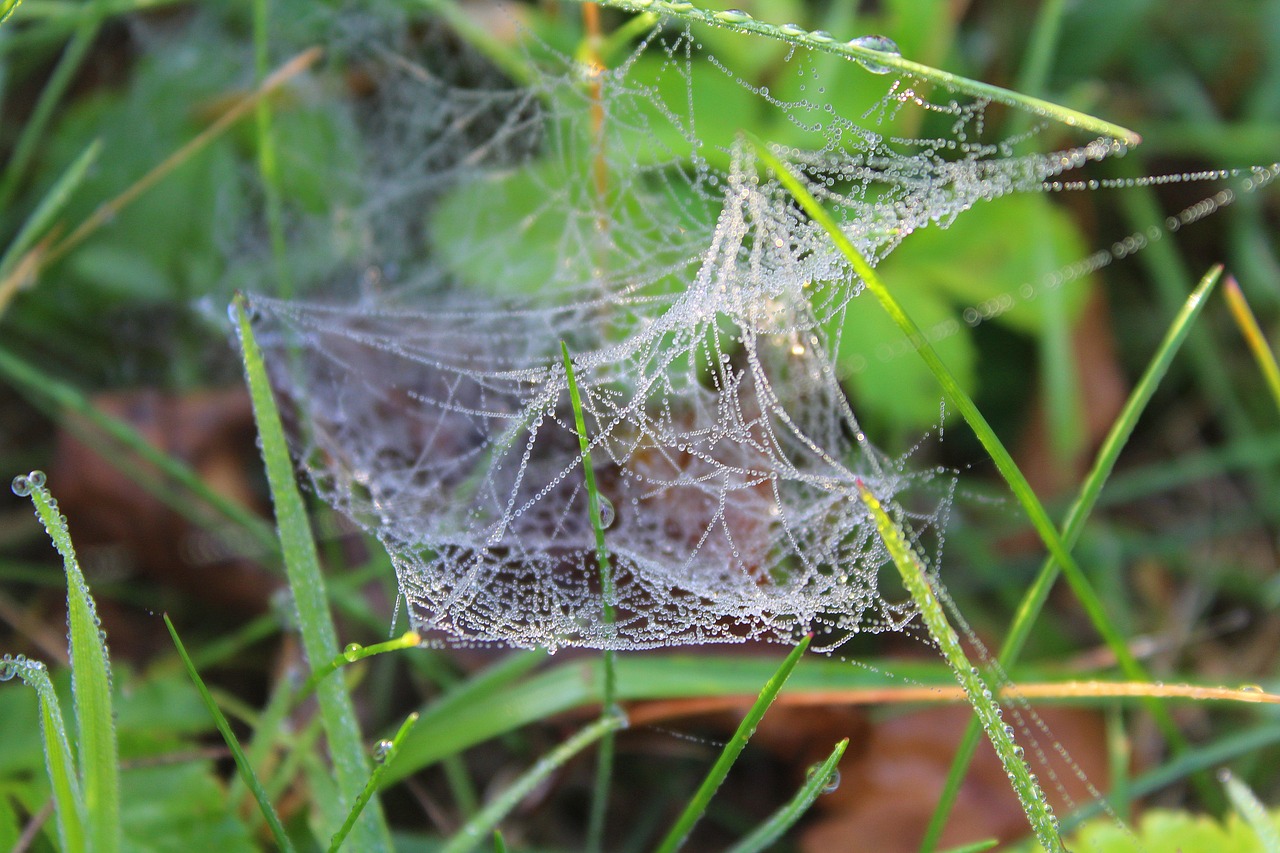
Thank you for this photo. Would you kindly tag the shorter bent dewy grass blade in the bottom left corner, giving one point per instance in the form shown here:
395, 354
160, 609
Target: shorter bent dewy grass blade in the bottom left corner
68, 800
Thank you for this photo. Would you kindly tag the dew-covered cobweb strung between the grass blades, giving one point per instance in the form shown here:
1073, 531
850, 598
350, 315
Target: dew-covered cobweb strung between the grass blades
609, 208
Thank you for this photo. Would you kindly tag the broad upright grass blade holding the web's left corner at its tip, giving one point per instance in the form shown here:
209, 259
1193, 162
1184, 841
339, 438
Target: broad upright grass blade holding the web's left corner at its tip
307, 582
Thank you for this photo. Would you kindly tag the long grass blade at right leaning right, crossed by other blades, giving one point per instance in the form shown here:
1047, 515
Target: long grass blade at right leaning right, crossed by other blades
1073, 526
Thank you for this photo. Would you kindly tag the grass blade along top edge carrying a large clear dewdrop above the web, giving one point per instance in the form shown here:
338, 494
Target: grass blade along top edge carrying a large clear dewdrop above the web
744, 24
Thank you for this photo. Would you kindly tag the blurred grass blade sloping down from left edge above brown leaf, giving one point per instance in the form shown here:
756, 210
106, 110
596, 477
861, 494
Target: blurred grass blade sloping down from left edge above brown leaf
62, 398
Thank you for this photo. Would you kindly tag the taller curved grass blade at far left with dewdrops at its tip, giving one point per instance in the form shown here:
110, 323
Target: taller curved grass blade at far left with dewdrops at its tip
92, 679
